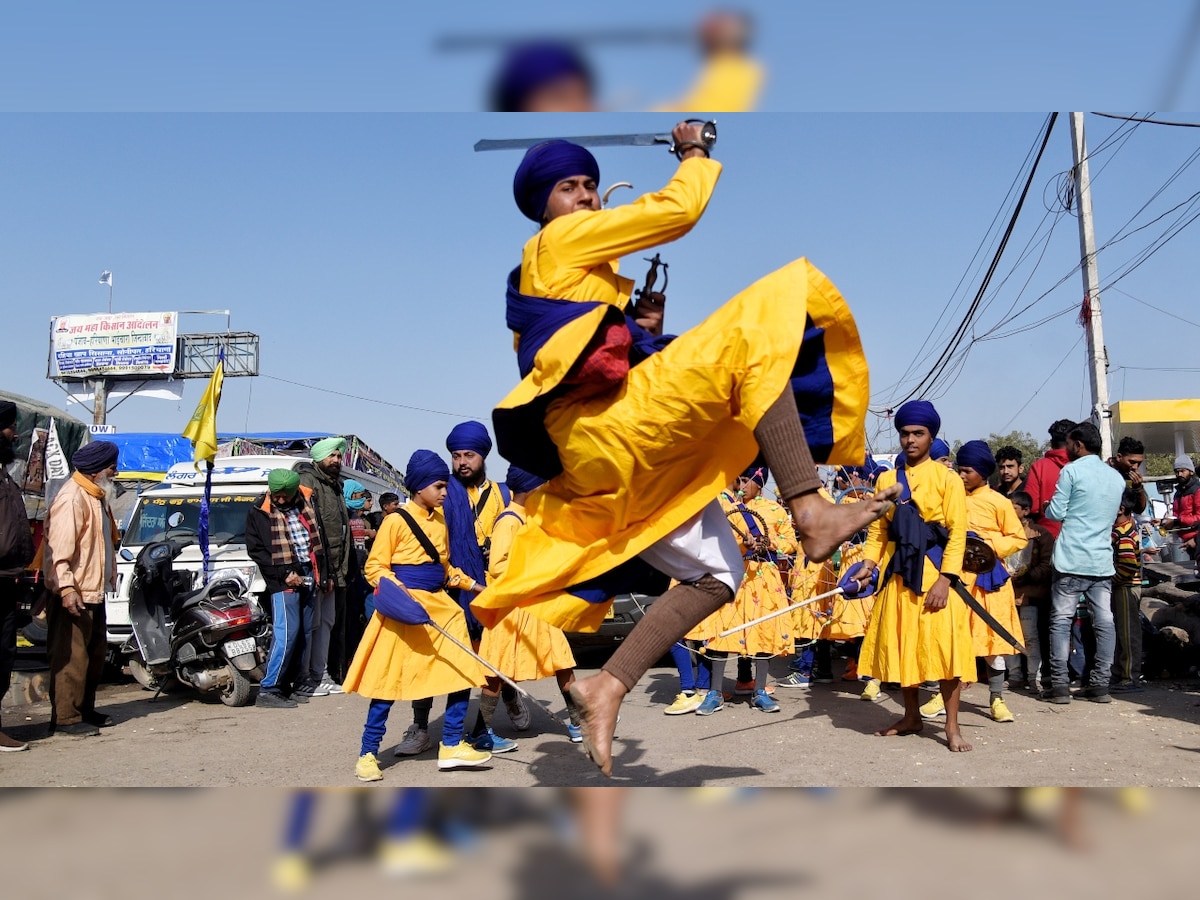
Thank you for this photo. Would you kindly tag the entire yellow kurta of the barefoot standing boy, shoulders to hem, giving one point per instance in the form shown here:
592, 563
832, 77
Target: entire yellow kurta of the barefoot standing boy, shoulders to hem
904, 643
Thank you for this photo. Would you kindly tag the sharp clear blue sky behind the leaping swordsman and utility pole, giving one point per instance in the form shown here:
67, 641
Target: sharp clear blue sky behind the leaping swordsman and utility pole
370, 251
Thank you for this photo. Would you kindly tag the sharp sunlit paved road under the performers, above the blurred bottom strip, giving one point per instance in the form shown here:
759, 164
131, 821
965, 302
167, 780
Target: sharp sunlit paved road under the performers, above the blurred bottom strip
824, 736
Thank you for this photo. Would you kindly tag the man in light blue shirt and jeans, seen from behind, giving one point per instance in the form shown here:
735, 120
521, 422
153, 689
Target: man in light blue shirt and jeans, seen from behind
1087, 501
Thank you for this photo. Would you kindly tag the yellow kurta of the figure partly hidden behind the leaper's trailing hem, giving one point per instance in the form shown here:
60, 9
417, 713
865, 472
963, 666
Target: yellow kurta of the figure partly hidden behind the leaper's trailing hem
520, 645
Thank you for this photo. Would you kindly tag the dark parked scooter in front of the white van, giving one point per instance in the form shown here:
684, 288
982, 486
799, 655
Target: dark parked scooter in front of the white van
214, 638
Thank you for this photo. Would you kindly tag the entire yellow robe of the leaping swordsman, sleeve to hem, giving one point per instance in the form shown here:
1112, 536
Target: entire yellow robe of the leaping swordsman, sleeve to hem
647, 455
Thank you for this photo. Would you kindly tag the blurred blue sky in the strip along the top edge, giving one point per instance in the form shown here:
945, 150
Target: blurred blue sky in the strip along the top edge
310, 56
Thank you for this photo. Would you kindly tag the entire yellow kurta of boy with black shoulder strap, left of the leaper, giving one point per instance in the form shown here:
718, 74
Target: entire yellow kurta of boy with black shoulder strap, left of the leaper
398, 662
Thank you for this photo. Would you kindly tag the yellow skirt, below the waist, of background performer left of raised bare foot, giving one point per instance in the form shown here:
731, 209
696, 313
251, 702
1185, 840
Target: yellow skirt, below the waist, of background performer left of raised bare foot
761, 593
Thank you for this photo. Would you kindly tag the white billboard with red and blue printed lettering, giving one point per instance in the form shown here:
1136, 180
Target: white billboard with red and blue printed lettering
106, 345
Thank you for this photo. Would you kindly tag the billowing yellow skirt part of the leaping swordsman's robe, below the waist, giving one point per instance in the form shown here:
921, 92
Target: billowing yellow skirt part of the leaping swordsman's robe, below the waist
646, 457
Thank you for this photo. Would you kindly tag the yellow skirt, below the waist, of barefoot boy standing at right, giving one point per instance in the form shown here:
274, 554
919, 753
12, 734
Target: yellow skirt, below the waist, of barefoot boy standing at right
907, 645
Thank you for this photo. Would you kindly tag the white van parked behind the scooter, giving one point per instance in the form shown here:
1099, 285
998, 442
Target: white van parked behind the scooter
172, 509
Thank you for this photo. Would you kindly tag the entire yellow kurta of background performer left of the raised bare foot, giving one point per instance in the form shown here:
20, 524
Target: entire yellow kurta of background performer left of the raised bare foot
761, 592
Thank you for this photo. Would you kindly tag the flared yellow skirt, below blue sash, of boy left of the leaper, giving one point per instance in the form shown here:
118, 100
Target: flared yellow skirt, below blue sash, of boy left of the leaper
398, 662
